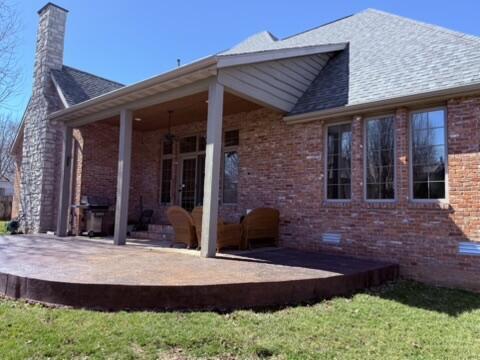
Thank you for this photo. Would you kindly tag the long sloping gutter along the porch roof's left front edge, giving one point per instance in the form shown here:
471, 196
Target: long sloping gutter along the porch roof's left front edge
172, 74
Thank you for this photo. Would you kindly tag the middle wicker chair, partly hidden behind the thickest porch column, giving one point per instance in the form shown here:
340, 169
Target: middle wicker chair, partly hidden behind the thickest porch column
228, 235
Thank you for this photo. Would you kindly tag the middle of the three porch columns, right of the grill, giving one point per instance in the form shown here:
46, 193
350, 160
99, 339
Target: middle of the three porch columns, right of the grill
123, 177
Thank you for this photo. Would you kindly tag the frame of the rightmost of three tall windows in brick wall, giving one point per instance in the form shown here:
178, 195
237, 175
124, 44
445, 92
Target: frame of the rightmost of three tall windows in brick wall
410, 155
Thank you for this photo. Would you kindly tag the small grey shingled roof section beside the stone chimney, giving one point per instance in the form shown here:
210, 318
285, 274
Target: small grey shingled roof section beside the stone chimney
78, 86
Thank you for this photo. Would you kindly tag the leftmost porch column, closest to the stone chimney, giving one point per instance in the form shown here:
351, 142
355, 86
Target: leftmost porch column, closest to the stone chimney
65, 183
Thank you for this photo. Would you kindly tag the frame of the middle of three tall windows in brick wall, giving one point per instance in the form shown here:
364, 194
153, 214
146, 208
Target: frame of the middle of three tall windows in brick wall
365, 138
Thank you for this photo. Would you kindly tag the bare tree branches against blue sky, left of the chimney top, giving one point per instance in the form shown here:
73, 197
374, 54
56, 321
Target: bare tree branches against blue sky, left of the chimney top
9, 68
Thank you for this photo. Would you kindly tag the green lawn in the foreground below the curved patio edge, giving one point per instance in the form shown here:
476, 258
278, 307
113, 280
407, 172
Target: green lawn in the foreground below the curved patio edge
403, 320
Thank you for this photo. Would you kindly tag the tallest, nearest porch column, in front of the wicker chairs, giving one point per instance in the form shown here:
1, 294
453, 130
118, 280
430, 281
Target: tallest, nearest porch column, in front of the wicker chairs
212, 169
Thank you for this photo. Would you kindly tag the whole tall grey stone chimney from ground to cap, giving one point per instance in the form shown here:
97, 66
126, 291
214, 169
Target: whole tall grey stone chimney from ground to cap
41, 139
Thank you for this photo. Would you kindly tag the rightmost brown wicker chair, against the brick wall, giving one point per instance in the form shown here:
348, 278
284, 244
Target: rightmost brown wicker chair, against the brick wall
260, 224
